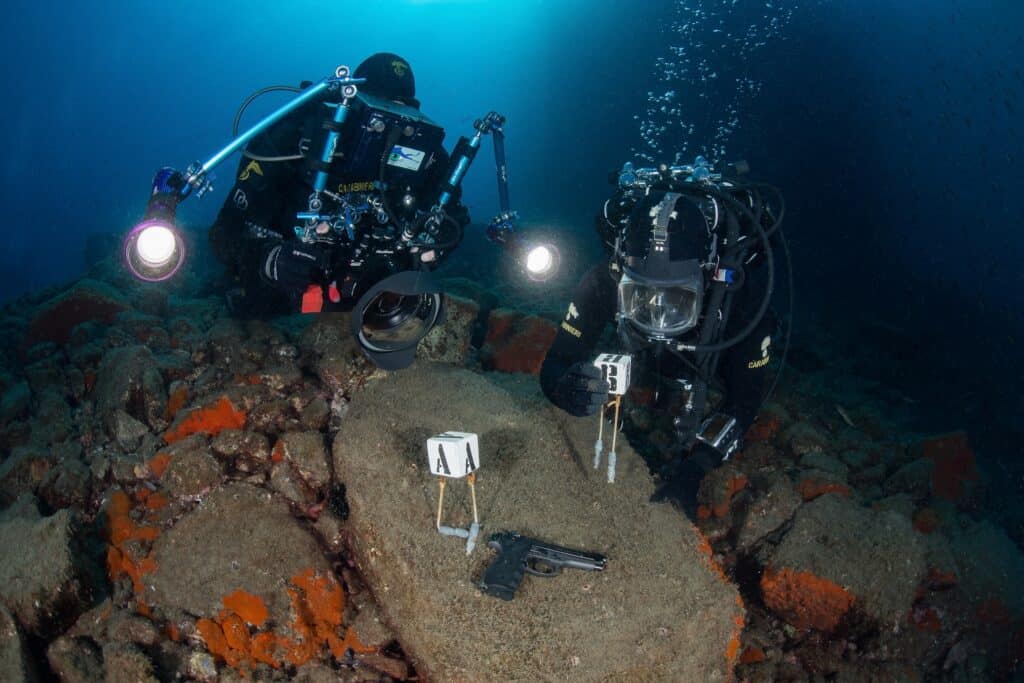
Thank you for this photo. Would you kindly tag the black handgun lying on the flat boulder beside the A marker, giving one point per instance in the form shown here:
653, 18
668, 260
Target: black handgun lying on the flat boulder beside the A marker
520, 554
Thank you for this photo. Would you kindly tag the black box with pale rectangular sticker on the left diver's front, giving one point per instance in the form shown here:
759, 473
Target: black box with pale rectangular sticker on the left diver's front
385, 136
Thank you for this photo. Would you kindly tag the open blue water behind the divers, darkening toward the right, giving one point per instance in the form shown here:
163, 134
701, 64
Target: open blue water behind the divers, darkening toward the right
893, 127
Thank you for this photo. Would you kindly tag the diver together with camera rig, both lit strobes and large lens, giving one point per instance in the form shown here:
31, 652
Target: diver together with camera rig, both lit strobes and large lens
345, 200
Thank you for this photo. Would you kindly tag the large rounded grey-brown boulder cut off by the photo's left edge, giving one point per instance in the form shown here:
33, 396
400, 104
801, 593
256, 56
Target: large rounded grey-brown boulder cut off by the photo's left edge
49, 582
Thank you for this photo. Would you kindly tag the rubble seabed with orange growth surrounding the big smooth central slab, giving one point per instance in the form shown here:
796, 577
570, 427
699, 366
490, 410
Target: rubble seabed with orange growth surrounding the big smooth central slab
172, 507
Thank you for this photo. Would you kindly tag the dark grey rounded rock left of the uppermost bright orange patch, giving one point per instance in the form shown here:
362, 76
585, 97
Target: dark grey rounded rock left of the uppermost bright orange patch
130, 380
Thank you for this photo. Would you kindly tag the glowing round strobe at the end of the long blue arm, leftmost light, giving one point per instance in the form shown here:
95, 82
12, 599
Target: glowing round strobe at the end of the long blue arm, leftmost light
154, 249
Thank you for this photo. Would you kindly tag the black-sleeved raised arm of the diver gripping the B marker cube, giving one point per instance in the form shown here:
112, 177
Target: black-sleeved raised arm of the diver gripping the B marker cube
591, 310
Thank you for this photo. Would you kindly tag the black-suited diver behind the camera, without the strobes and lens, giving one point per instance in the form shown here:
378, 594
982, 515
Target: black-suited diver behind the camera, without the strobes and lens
388, 172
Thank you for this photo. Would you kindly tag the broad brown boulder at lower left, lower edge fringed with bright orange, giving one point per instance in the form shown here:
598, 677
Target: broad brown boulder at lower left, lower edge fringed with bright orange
239, 537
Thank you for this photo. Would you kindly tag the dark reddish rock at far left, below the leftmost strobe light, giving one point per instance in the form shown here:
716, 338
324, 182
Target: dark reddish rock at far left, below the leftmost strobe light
87, 301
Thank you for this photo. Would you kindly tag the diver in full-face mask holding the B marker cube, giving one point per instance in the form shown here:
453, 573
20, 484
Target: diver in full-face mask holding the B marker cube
689, 286
